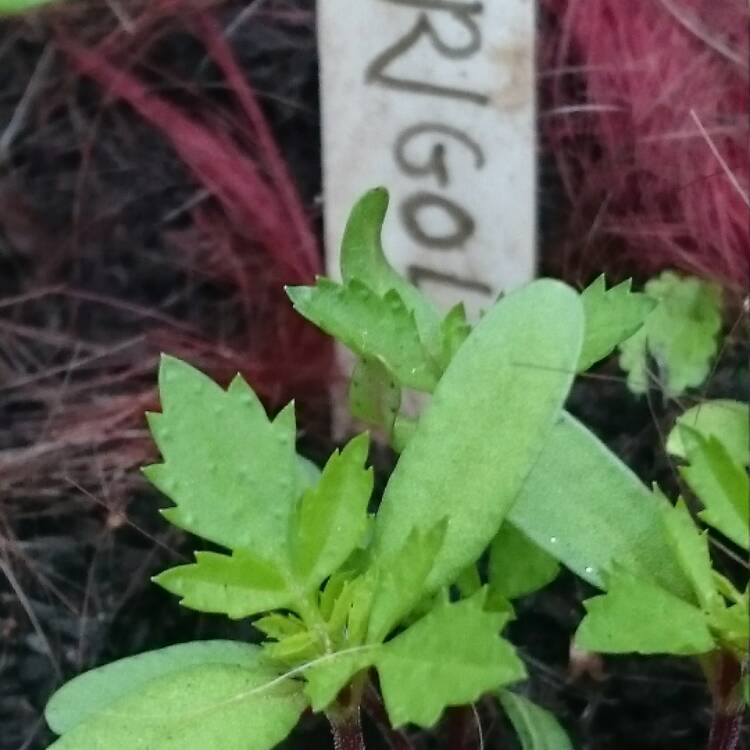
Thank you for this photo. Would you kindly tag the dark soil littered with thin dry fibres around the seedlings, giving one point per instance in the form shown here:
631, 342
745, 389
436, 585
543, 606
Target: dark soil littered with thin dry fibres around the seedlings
79, 531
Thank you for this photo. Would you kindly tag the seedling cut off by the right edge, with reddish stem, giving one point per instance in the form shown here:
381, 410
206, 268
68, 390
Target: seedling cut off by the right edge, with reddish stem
710, 620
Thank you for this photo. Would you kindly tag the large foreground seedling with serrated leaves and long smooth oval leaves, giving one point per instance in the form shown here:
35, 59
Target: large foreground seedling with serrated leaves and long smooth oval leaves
339, 593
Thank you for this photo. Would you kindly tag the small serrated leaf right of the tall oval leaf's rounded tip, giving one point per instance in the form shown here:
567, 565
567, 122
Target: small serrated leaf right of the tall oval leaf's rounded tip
611, 317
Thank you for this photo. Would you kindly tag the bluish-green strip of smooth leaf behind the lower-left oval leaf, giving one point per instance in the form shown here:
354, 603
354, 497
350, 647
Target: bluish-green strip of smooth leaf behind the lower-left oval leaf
96, 690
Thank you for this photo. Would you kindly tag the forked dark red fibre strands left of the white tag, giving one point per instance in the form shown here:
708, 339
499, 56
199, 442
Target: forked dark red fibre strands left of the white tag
259, 211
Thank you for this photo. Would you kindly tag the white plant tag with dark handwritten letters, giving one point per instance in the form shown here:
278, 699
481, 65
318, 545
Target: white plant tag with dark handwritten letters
435, 100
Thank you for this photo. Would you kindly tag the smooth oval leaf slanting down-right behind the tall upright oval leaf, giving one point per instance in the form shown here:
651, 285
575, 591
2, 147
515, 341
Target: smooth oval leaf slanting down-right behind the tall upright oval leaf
587, 509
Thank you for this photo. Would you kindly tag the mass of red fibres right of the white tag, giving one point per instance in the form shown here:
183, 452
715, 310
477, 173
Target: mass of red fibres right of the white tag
647, 120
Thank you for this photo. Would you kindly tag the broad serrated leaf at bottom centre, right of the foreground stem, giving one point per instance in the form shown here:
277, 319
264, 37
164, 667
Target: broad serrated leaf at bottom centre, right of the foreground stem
450, 657
